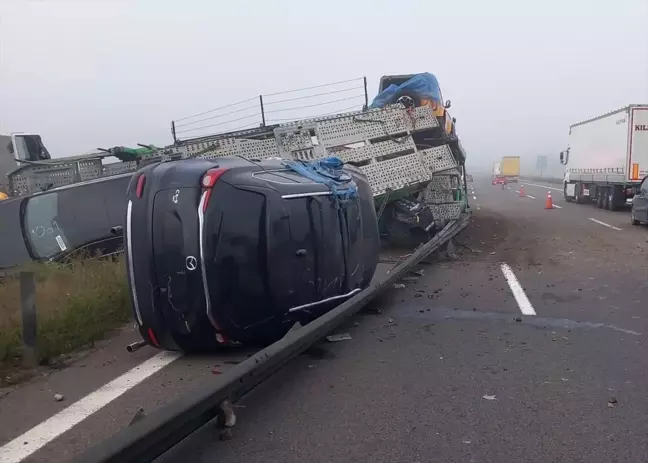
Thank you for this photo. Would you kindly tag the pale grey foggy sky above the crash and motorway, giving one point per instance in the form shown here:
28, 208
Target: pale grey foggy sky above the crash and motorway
94, 73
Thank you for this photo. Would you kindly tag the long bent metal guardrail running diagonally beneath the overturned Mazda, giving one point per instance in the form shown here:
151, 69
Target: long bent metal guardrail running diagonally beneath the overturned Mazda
157, 433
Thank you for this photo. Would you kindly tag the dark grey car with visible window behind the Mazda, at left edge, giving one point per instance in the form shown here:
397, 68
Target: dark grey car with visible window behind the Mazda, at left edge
63, 222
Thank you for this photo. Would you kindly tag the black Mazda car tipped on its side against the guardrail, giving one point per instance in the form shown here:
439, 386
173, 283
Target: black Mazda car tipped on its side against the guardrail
230, 251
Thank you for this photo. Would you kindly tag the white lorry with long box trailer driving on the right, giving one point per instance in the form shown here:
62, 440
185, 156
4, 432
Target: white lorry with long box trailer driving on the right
607, 157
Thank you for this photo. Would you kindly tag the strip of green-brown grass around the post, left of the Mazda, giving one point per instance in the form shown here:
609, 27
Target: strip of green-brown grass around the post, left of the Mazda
76, 305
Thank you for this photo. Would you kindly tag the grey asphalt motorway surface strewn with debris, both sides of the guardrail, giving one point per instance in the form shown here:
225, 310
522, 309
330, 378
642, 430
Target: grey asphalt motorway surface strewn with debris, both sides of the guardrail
451, 370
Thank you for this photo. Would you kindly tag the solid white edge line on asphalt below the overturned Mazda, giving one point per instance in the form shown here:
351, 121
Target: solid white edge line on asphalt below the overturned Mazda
40, 435
